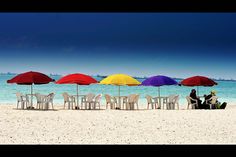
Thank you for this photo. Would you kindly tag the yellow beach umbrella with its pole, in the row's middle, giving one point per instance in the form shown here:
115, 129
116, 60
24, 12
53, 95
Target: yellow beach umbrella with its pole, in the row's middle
120, 80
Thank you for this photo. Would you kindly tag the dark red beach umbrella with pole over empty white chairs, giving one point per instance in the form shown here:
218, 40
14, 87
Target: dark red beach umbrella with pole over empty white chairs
30, 78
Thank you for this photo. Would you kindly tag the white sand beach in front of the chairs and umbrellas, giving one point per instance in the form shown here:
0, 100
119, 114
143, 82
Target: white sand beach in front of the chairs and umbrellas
117, 126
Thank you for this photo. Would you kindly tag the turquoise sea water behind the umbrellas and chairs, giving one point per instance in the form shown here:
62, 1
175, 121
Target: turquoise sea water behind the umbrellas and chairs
226, 90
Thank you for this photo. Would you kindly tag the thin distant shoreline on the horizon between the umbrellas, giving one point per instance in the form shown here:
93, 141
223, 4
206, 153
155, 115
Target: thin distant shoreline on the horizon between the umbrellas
104, 76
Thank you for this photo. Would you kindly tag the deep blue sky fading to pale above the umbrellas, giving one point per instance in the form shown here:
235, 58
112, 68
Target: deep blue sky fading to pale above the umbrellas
141, 44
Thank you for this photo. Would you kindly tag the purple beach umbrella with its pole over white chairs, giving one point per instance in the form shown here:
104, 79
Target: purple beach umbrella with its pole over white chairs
158, 81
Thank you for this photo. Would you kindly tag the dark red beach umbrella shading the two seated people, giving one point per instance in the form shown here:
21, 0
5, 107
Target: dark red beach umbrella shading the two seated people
198, 81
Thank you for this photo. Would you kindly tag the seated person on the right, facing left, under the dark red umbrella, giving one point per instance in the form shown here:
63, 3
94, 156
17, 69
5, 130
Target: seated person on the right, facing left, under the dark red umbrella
217, 105
